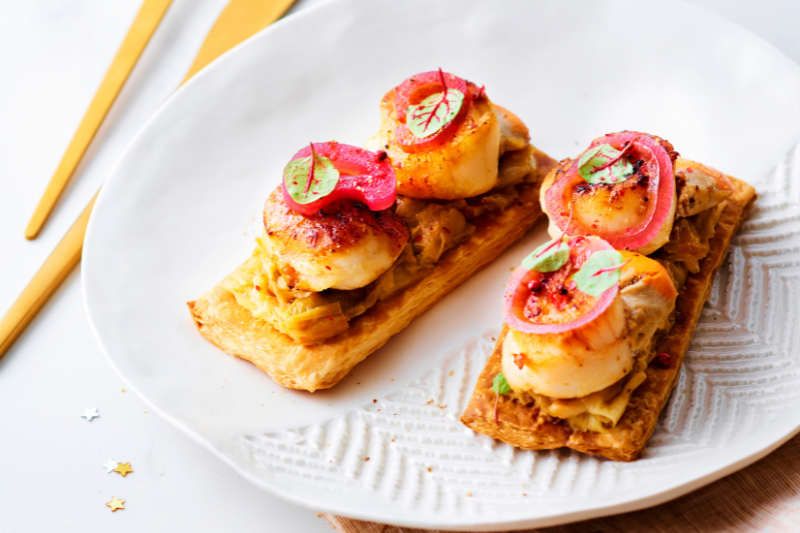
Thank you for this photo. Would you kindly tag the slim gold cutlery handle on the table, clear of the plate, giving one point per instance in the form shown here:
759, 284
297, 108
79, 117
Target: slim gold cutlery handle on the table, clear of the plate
145, 23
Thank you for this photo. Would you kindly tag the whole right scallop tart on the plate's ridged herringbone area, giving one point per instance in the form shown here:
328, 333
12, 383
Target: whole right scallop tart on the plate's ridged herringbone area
595, 330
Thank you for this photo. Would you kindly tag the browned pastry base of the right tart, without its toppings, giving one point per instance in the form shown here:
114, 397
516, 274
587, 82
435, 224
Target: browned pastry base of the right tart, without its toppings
523, 426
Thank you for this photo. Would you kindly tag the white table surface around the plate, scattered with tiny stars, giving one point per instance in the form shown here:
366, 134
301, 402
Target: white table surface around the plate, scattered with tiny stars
53, 54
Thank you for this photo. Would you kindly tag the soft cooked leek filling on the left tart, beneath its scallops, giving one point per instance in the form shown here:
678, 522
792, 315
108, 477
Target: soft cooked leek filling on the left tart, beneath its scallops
311, 317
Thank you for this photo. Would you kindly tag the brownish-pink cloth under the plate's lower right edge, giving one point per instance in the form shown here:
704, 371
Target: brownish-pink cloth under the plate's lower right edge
764, 498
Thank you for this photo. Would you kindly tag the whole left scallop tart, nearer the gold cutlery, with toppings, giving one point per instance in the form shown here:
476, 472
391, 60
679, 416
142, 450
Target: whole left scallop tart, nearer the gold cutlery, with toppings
357, 242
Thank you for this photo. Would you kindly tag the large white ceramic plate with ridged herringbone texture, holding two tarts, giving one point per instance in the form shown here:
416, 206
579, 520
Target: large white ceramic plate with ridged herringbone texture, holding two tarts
183, 206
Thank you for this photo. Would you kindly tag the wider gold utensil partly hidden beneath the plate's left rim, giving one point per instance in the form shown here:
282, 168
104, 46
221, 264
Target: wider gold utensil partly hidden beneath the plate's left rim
240, 20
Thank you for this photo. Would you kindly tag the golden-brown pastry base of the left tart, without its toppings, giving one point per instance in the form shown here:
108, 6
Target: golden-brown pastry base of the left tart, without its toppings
233, 329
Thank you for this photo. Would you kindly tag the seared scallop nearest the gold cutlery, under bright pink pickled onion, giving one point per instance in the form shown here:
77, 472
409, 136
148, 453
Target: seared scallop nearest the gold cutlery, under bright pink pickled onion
342, 246
